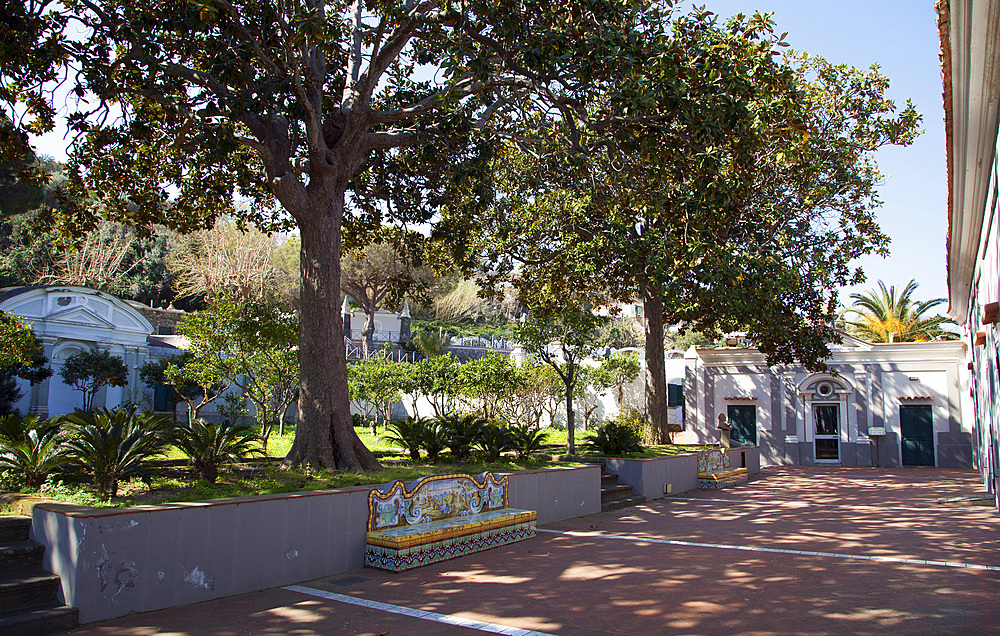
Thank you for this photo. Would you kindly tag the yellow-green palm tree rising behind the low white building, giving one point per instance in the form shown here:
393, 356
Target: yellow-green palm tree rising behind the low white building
884, 315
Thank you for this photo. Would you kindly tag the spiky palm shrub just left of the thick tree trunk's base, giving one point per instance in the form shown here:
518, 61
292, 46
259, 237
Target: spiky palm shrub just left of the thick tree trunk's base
211, 446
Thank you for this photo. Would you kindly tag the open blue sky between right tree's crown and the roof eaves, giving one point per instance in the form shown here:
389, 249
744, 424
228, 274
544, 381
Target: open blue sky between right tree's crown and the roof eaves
901, 37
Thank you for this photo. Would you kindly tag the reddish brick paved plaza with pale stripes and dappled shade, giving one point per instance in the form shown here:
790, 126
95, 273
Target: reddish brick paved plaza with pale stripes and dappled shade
798, 550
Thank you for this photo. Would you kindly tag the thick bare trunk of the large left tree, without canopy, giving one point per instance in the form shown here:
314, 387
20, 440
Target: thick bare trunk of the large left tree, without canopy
324, 437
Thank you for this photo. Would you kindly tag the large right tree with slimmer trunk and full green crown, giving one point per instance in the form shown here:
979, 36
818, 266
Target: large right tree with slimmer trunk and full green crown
724, 185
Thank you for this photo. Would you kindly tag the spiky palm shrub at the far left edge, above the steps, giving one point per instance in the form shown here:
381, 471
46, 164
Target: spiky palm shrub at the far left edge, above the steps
31, 450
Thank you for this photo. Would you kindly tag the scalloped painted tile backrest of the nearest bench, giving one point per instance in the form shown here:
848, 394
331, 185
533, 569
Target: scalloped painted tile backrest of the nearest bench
433, 498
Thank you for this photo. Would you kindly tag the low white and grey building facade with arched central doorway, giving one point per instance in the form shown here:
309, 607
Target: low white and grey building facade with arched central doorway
876, 405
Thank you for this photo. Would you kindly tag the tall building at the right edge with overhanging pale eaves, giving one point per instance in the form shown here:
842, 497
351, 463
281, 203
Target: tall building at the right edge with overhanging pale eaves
970, 54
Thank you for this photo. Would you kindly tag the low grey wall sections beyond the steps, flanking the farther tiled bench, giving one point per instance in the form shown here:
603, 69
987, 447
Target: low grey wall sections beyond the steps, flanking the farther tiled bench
653, 478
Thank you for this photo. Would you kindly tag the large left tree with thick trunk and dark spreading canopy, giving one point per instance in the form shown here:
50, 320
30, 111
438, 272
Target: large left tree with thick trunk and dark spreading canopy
292, 106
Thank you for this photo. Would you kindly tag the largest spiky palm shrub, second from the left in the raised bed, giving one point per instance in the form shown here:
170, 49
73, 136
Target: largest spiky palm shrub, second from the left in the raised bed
115, 445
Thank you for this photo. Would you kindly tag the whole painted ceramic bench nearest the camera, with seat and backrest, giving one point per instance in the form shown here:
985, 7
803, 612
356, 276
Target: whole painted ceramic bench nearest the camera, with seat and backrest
441, 517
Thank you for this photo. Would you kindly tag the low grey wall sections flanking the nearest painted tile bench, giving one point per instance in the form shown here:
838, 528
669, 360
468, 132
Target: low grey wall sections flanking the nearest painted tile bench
116, 561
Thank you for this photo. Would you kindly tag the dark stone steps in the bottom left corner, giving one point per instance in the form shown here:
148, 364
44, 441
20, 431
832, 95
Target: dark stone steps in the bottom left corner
29, 596
